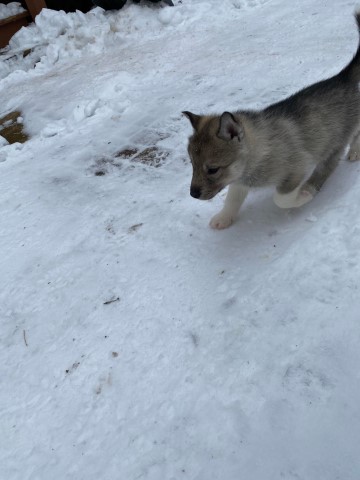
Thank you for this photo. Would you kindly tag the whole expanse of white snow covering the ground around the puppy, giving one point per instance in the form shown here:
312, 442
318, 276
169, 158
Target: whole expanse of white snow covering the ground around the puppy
136, 342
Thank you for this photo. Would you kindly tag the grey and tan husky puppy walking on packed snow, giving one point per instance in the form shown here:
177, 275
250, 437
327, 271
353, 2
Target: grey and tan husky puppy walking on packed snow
294, 144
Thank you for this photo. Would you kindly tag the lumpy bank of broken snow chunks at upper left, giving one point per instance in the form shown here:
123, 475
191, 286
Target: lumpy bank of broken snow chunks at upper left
57, 36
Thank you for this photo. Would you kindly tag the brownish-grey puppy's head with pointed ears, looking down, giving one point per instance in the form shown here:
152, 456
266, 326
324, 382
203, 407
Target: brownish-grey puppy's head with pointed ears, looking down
215, 150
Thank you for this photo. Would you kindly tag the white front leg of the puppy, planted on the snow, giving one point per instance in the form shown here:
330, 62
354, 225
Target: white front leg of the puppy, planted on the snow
234, 199
